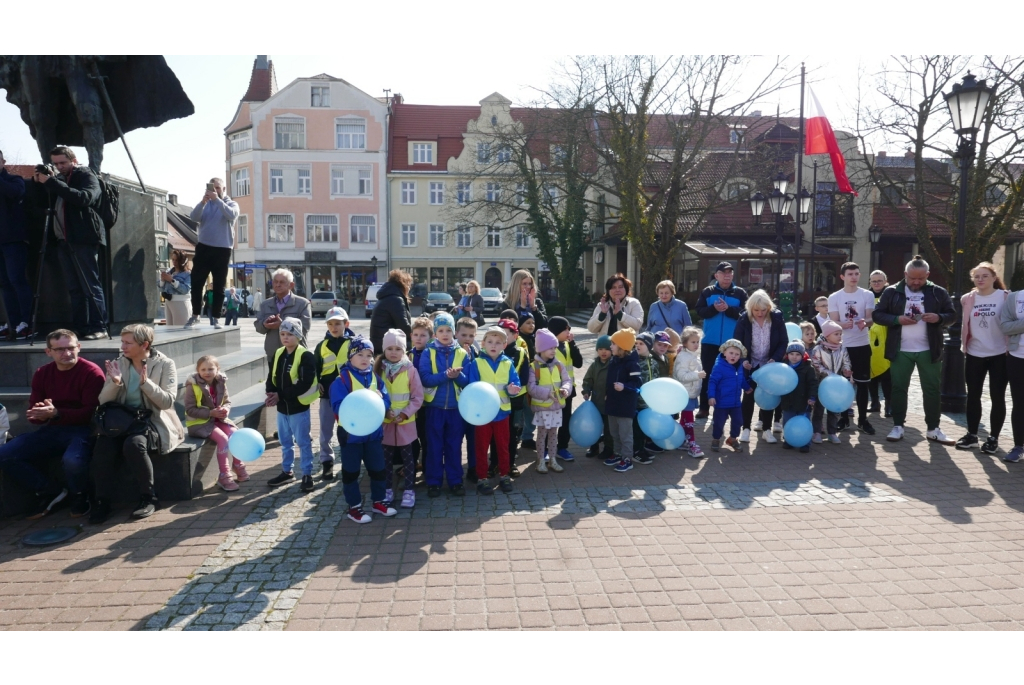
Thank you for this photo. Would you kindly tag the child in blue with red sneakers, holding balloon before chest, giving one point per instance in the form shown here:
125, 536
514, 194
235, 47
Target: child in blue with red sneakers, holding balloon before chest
358, 450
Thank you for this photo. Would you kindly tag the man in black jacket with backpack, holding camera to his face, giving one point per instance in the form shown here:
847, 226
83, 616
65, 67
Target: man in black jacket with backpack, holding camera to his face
80, 234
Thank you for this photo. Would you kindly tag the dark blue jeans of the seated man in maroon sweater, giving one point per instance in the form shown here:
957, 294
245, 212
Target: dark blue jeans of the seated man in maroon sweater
72, 444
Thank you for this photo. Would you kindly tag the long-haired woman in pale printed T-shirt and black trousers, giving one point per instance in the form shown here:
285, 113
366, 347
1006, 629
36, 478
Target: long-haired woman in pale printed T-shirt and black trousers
985, 349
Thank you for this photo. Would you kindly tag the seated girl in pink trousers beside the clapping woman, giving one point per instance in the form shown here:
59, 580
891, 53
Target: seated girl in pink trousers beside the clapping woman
207, 406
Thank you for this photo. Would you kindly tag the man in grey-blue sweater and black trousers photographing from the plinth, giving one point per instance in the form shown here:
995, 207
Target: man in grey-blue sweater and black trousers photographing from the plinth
217, 216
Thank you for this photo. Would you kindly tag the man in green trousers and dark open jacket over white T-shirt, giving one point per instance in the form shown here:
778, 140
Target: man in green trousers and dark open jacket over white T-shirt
916, 312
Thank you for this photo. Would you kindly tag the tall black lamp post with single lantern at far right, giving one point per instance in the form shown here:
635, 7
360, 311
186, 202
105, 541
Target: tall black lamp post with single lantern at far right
967, 103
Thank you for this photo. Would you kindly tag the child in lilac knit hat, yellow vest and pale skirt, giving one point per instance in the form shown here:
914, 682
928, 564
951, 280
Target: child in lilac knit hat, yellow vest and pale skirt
549, 387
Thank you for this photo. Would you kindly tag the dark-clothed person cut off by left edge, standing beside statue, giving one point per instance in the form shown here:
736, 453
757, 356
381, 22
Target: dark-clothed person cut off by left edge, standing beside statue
14, 256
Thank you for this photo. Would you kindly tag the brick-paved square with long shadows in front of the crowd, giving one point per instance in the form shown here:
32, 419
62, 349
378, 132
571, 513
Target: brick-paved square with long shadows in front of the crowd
866, 535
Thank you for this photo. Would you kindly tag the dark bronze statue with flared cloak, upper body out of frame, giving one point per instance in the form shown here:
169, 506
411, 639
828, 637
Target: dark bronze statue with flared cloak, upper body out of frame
68, 100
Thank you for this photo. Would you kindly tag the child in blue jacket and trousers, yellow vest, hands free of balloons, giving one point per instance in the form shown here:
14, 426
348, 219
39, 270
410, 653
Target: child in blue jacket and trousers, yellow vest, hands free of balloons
442, 370
